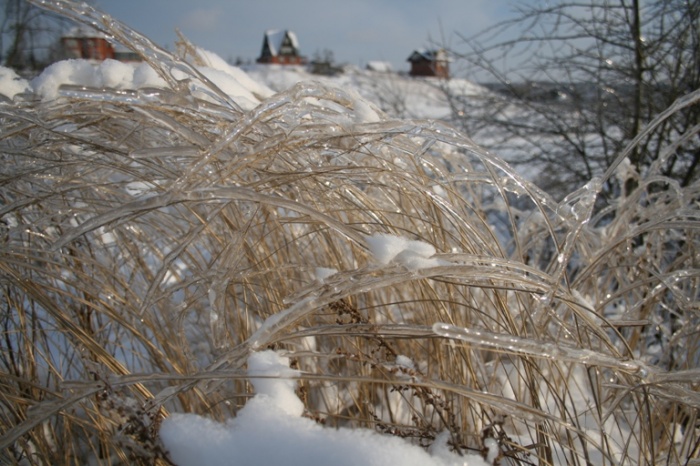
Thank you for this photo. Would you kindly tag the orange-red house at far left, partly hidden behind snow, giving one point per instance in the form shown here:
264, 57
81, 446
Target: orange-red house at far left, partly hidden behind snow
87, 43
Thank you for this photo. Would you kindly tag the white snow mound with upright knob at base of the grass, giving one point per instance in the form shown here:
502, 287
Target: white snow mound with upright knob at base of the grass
270, 431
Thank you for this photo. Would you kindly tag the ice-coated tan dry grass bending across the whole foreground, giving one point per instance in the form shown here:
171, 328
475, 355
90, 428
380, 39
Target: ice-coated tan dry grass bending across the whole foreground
158, 242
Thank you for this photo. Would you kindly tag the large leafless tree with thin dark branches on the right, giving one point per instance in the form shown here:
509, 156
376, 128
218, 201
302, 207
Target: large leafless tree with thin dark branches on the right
578, 81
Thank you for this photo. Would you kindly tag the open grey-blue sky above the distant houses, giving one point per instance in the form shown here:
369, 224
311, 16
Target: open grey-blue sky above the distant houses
356, 31
